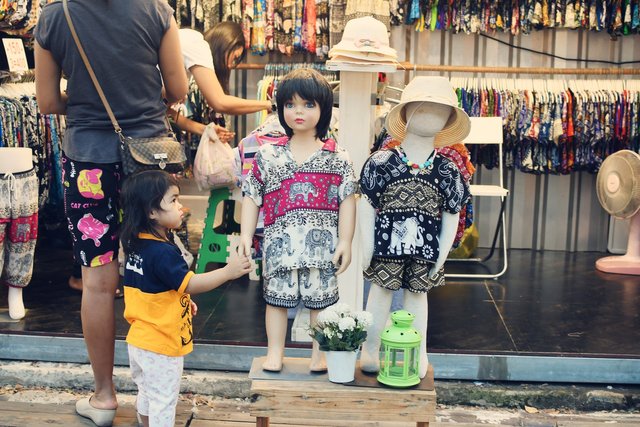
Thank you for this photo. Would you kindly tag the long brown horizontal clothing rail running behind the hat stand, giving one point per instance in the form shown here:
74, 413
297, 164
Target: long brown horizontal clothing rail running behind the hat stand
407, 66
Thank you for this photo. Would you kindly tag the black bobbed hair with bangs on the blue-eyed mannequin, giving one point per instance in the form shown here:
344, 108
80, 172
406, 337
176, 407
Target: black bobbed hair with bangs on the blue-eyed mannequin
309, 85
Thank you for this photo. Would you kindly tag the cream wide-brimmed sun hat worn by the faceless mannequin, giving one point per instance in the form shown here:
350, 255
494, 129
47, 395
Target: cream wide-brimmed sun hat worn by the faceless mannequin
437, 90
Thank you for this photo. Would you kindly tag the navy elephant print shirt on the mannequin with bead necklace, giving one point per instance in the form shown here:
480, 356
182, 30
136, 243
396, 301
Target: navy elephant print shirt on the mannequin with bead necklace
409, 206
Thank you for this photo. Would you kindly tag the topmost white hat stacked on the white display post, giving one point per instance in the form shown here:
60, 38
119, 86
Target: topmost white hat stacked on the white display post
364, 35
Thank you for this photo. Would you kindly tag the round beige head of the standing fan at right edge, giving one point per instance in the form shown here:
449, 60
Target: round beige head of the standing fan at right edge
618, 184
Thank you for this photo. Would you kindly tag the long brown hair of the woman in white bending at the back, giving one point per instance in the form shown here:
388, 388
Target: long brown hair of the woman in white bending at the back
224, 38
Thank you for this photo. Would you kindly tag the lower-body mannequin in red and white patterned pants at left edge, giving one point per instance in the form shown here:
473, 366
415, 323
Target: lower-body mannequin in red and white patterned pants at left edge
18, 223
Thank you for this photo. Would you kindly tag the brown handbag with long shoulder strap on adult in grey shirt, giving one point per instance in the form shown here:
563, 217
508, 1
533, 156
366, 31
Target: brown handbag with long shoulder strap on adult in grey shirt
156, 152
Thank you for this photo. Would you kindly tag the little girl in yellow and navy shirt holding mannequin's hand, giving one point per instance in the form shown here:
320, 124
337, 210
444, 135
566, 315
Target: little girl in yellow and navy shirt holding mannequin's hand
157, 285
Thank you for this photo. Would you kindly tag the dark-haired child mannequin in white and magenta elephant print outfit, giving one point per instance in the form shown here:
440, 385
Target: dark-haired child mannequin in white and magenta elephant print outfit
305, 184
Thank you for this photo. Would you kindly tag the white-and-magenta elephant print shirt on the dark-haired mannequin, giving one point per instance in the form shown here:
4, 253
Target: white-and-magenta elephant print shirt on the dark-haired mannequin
300, 203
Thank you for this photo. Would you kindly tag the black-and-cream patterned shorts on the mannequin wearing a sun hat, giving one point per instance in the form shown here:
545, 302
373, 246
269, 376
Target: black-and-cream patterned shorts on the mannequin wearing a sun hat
408, 274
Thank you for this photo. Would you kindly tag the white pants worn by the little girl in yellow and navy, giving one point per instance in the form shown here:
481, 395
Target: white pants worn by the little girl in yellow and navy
158, 379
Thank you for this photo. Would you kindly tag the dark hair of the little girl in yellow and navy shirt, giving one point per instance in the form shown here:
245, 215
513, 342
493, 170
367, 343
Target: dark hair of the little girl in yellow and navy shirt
142, 193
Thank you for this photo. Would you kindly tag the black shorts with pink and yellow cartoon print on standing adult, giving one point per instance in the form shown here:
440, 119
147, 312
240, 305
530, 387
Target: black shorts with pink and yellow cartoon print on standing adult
91, 192
